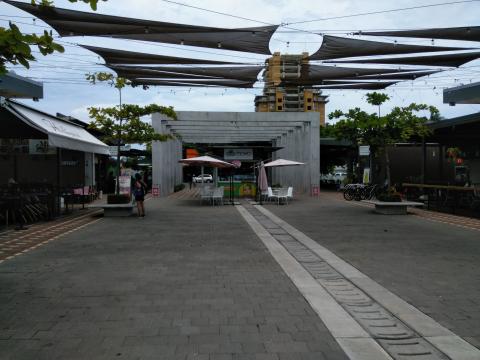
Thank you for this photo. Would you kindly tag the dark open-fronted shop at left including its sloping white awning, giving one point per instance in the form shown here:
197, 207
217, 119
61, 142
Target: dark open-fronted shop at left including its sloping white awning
44, 162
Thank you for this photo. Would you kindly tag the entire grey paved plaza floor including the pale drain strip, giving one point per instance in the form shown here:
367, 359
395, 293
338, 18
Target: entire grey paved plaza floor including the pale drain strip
245, 282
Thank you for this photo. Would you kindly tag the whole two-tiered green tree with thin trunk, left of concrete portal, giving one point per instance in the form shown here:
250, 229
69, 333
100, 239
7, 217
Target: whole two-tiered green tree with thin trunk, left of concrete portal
122, 124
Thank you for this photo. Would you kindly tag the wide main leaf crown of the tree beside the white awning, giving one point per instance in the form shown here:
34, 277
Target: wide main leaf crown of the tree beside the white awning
125, 124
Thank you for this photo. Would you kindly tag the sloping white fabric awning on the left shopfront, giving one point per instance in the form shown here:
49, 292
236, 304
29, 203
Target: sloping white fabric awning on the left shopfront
61, 134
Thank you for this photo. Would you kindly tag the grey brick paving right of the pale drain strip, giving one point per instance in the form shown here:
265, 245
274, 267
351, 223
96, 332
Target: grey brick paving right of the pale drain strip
428, 259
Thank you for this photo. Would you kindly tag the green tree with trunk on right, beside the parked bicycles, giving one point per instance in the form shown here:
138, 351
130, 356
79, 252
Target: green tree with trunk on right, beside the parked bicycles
400, 125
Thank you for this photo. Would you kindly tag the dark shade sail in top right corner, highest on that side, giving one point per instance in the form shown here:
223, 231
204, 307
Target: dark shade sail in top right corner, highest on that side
465, 33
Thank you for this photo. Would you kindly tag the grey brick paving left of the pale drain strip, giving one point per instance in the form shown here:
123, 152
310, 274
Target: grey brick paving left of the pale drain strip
186, 282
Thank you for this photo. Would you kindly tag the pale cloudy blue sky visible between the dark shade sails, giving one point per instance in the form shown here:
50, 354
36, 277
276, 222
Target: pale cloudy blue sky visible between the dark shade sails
66, 91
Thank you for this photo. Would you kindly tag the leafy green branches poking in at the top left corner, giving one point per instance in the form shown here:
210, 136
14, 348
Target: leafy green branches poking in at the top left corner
15, 47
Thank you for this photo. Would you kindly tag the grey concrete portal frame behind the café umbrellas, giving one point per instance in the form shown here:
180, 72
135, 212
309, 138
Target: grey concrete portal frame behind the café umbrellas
299, 144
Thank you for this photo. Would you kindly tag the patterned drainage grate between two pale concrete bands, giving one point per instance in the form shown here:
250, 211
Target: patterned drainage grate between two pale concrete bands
392, 334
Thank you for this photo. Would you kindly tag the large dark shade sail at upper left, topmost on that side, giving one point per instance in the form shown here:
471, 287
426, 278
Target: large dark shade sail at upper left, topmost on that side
77, 23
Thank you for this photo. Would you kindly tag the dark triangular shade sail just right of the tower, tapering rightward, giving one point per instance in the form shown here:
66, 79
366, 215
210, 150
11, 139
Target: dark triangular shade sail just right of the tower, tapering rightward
334, 47
